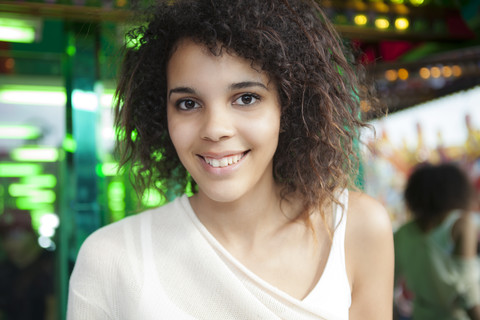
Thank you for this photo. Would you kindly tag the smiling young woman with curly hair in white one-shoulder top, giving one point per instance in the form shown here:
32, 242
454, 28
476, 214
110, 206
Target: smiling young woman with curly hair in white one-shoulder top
255, 105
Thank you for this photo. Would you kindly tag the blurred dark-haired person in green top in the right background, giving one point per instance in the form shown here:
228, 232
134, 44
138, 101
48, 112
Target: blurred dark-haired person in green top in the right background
436, 252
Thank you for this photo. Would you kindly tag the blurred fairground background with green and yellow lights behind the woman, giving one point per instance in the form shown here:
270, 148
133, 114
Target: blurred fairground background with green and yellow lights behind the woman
58, 63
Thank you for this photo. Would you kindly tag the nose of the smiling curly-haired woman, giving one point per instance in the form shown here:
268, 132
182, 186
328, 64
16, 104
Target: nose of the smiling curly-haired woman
218, 123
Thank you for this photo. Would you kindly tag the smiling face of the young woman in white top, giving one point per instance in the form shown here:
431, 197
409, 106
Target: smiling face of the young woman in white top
224, 121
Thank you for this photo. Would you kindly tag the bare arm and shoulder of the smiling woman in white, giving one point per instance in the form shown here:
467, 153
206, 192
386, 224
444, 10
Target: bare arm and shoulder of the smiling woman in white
369, 258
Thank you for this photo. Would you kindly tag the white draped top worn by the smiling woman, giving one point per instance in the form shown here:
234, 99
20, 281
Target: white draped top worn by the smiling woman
164, 264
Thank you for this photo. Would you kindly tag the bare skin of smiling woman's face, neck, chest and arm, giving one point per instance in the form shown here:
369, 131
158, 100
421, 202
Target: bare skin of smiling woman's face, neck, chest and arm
237, 112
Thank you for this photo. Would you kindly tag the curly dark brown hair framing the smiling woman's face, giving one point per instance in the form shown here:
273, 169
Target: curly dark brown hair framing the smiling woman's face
318, 79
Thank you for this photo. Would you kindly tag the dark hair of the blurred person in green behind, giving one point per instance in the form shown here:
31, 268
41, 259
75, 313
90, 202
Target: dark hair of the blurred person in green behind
433, 191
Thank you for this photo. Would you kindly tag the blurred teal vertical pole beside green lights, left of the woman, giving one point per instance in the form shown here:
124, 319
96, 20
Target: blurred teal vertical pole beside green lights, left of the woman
80, 212
